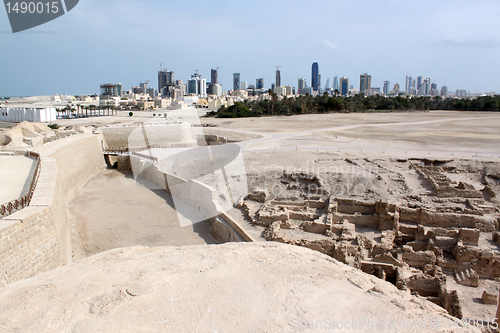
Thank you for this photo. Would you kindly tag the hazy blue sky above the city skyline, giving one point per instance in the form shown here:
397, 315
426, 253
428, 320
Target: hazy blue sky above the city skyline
456, 43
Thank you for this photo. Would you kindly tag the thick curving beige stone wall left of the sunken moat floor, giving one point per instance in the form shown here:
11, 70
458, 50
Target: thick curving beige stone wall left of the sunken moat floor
38, 238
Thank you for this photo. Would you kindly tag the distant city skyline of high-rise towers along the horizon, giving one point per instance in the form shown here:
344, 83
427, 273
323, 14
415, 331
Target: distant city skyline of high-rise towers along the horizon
171, 91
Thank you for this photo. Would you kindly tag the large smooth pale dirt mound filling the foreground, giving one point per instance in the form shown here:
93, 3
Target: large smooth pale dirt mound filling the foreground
226, 288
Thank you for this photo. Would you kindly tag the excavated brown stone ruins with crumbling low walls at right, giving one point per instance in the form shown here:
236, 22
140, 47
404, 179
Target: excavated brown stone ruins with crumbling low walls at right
411, 243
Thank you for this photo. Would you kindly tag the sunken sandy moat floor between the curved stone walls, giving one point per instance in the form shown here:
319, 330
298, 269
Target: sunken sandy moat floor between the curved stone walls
113, 211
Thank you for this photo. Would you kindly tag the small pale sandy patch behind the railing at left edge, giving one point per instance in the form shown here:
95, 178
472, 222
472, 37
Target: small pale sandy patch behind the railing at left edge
14, 176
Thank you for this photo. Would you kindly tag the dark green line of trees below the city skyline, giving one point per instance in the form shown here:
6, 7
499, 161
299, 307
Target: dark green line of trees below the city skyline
358, 103
